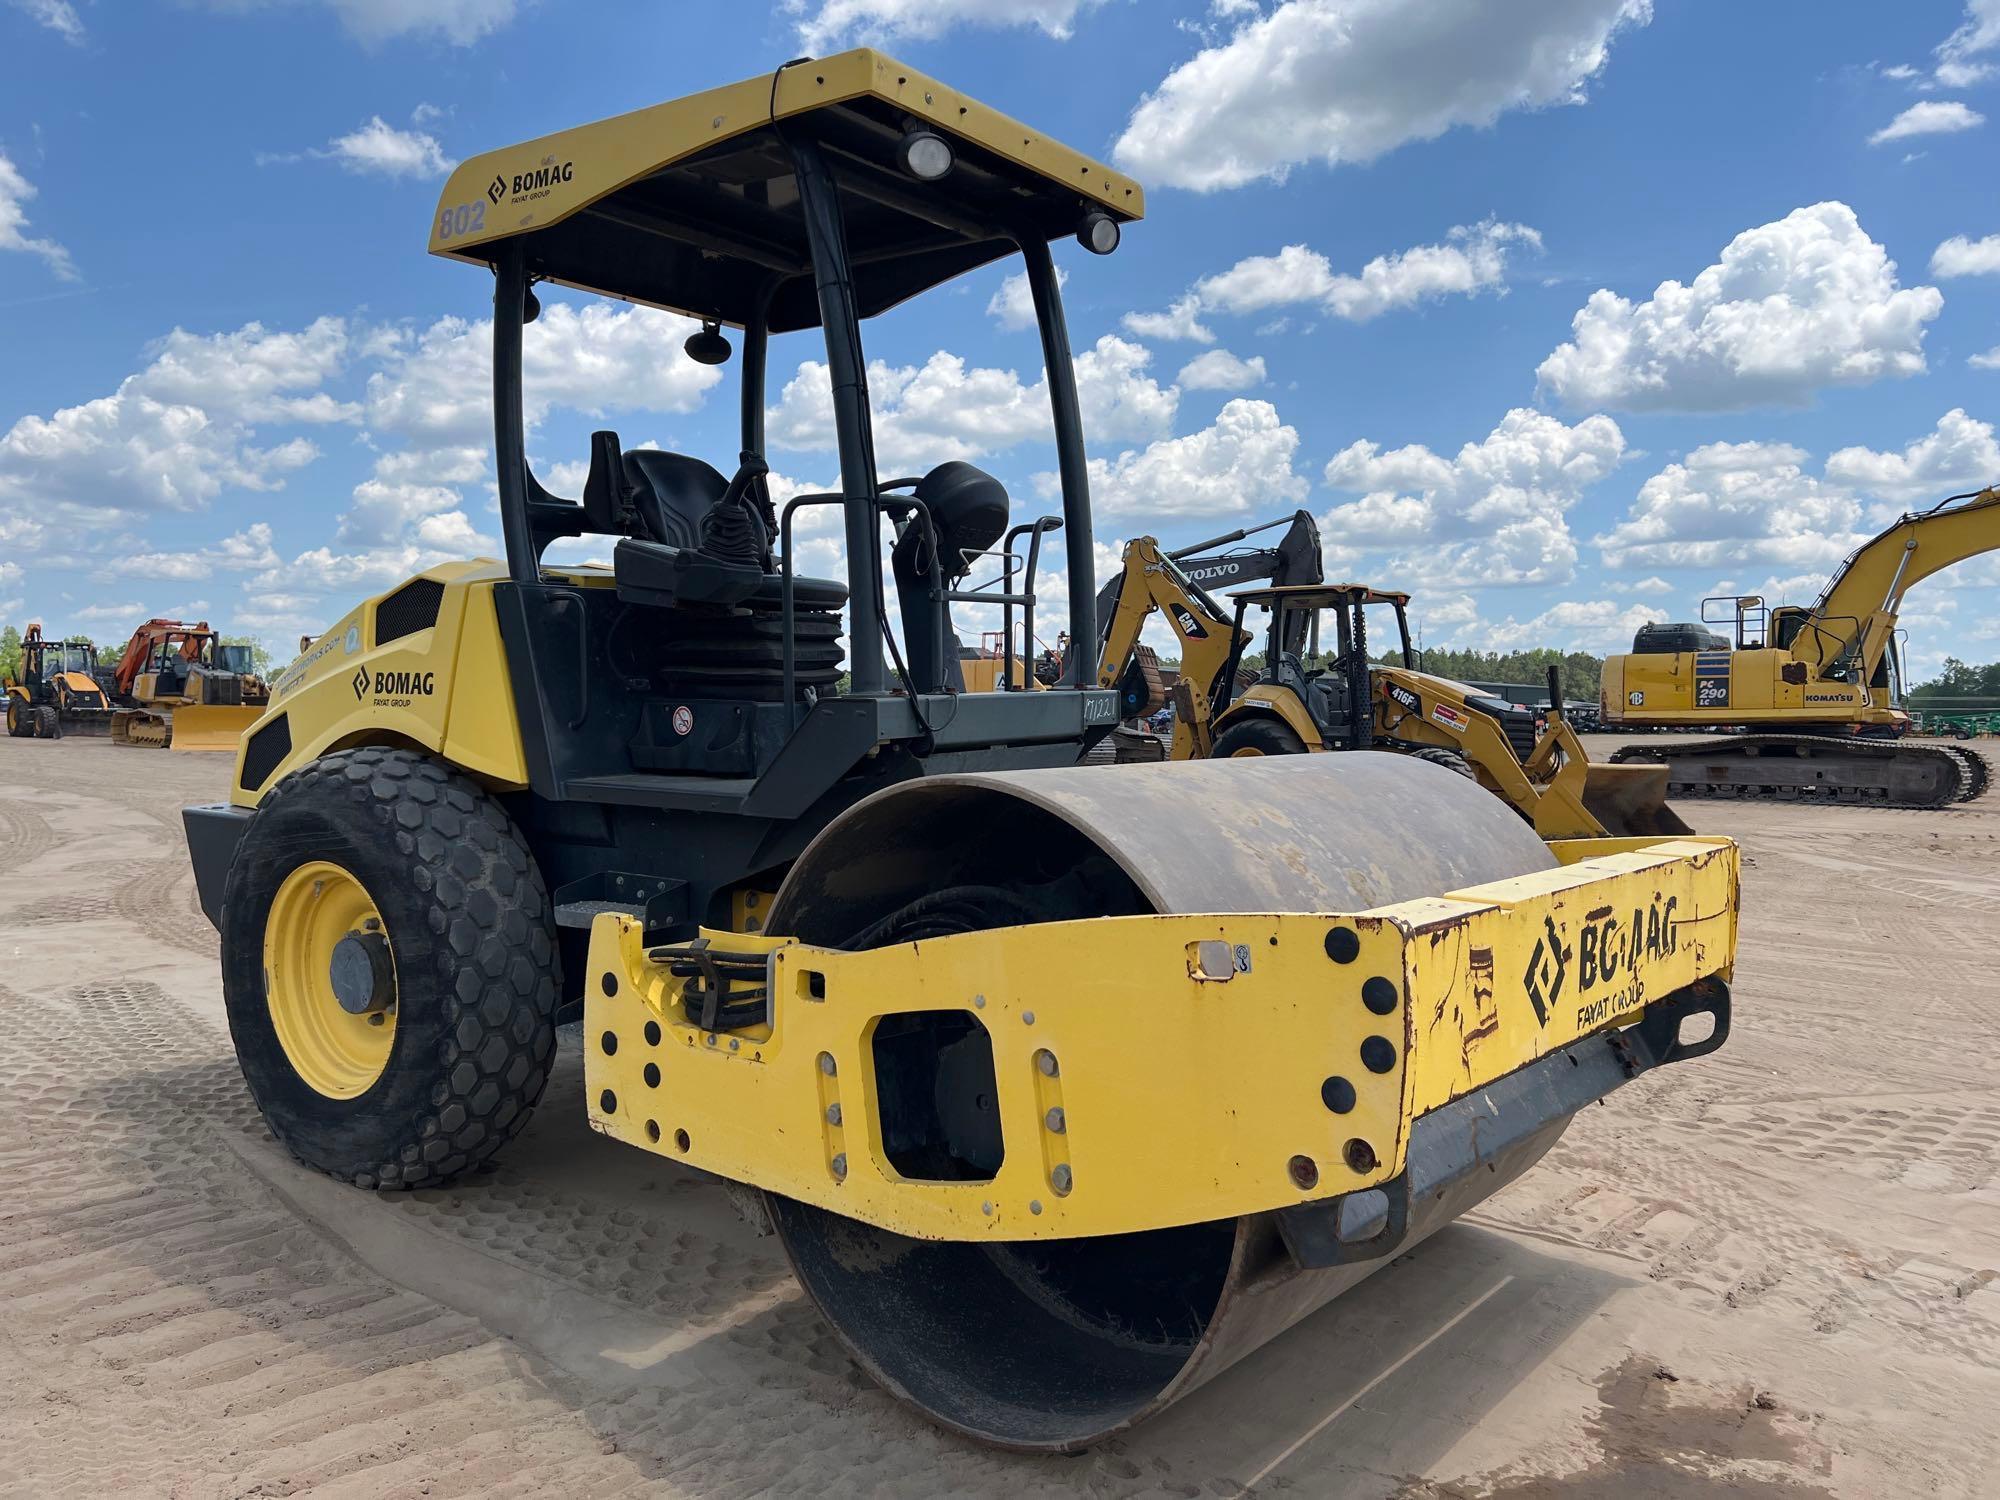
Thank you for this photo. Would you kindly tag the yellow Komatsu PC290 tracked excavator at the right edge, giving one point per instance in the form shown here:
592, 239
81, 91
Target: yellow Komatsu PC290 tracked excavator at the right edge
1811, 689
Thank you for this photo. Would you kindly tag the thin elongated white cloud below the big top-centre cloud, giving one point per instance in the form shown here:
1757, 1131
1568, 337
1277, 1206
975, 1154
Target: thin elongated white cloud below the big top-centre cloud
1471, 261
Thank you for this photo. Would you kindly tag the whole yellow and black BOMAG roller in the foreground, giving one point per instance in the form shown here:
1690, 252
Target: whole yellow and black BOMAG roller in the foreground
1063, 1087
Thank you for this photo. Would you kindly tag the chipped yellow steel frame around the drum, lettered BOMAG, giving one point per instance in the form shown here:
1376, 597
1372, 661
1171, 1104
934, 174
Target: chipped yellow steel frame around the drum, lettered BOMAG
1155, 1071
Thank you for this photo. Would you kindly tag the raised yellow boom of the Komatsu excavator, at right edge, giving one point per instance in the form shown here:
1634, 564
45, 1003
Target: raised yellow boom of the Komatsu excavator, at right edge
1849, 631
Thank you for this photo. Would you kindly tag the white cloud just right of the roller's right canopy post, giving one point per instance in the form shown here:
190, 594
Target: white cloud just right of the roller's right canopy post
1239, 461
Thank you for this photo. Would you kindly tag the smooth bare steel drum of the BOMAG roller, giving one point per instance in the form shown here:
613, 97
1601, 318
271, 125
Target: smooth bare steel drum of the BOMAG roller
1059, 1345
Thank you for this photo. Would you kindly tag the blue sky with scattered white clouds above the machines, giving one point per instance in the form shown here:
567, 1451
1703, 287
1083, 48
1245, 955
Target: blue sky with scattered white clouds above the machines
1561, 313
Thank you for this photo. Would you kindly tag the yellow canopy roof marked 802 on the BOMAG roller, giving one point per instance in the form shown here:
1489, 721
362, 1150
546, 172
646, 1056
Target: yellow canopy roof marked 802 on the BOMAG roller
691, 205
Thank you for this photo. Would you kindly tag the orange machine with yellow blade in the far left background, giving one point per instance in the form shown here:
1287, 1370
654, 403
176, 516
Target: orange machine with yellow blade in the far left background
181, 687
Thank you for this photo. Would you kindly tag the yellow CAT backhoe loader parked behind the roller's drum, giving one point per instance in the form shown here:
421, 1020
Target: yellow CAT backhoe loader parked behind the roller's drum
1319, 689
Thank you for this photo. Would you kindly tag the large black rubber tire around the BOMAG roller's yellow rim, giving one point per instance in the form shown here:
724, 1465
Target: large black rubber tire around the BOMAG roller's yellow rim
477, 967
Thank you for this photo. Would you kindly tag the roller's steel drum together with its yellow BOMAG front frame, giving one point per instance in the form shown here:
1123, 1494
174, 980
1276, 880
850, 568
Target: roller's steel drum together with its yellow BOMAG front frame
1071, 1089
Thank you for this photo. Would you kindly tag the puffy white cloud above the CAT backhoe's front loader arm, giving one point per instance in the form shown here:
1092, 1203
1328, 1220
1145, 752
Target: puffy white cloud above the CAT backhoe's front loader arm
1491, 515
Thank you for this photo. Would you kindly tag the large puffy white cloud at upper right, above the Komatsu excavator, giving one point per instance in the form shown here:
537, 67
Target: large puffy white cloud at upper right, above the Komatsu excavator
1791, 307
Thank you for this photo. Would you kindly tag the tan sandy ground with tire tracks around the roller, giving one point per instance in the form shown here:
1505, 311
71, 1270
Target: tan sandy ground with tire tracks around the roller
1775, 1273
